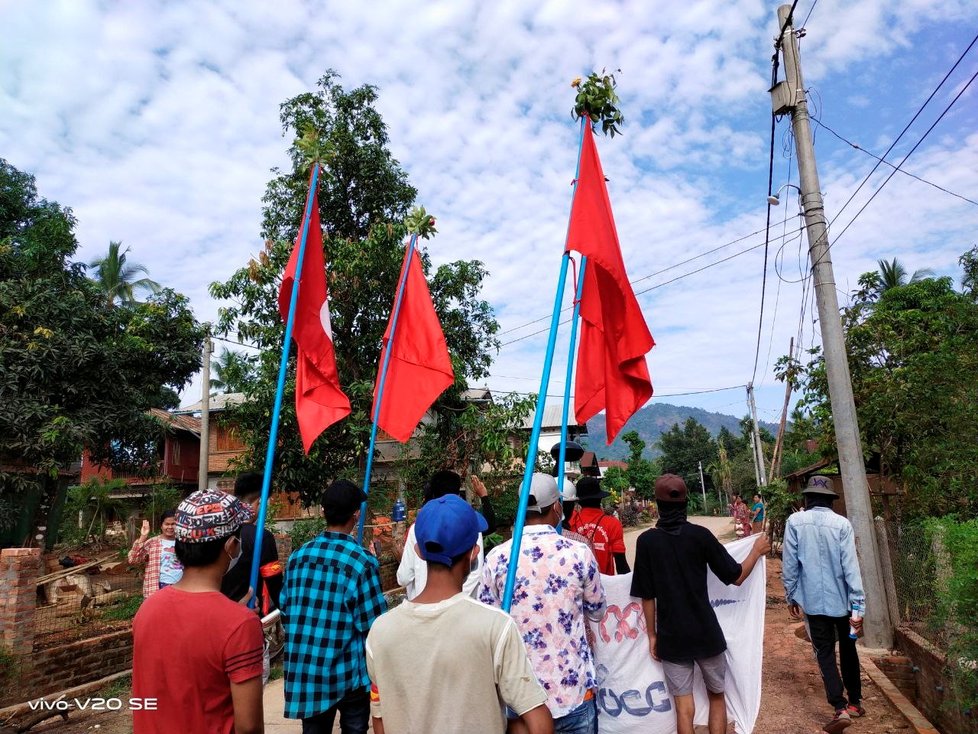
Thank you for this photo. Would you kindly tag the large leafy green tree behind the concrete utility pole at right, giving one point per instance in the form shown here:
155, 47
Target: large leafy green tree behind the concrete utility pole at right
913, 356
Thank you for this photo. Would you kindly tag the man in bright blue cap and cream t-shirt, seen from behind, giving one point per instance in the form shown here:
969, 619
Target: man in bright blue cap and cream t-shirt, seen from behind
468, 655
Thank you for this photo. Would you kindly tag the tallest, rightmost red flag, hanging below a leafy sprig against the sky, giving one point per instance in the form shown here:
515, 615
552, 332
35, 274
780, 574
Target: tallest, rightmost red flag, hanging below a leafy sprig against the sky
611, 369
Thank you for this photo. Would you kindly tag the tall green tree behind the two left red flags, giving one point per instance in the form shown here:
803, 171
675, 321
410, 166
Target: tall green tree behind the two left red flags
364, 196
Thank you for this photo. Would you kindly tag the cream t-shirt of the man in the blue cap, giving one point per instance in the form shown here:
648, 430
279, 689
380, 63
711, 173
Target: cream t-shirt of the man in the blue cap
449, 668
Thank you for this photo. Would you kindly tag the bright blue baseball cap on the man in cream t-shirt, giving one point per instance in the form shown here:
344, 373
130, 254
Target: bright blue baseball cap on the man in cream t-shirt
446, 528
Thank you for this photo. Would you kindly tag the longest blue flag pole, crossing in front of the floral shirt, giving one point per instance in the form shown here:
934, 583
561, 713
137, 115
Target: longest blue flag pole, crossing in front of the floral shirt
531, 452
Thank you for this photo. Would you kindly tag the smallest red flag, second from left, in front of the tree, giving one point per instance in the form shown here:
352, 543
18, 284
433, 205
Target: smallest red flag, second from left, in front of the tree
420, 368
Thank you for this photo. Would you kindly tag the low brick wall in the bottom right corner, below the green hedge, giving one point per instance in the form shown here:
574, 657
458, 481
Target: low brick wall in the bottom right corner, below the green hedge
934, 697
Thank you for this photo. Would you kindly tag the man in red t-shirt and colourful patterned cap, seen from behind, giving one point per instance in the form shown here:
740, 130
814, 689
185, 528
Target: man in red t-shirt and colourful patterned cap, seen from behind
196, 652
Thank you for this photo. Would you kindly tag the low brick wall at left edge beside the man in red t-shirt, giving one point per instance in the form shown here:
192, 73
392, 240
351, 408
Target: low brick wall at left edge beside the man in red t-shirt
55, 669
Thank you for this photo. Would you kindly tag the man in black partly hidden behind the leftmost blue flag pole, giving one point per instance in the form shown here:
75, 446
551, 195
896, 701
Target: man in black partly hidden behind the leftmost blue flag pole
247, 488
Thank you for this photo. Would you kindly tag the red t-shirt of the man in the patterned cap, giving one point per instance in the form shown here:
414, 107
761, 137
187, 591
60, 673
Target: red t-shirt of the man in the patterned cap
187, 650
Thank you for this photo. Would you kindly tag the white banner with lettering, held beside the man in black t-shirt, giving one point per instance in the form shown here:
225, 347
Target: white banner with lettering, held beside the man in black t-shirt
632, 695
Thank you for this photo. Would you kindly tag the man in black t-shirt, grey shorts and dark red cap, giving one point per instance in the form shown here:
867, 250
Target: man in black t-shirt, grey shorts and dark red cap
671, 561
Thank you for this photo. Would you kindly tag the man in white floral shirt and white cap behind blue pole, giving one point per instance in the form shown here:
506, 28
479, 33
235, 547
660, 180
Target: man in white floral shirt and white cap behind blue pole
557, 584
